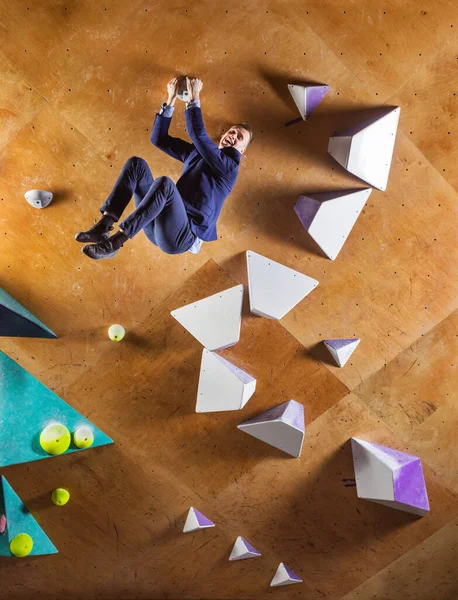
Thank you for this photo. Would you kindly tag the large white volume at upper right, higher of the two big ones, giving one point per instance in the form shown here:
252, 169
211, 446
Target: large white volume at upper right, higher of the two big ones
366, 149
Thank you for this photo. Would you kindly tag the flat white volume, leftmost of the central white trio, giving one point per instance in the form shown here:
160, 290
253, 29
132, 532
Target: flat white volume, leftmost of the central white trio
214, 321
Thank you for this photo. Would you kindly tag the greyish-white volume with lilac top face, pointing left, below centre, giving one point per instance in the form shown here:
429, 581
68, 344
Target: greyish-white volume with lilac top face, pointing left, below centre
282, 427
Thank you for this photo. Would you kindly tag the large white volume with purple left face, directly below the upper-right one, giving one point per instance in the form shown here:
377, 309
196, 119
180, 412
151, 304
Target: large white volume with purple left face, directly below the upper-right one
329, 217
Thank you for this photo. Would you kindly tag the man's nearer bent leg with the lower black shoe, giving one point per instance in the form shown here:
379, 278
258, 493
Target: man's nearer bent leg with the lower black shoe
162, 207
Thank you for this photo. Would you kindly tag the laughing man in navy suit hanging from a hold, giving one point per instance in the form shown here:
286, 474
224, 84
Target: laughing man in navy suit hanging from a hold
176, 218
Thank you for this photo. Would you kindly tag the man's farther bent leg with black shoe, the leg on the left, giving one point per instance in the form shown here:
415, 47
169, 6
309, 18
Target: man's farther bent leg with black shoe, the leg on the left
135, 179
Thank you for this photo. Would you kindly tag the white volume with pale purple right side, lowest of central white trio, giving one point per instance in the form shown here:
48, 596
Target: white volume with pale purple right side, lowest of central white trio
222, 385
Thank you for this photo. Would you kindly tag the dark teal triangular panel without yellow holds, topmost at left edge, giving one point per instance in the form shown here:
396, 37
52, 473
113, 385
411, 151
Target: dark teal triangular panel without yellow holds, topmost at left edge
15, 320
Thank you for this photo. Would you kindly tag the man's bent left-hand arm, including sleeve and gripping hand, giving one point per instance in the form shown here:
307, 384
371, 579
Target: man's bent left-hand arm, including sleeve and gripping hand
174, 147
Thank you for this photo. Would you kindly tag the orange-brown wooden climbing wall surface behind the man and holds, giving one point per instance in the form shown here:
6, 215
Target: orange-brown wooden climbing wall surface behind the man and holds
80, 84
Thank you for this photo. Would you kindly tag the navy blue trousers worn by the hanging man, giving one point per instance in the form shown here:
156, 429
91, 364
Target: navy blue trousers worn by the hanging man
160, 210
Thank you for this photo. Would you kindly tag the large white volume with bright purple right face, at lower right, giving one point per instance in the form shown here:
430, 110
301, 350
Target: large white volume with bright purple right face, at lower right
389, 477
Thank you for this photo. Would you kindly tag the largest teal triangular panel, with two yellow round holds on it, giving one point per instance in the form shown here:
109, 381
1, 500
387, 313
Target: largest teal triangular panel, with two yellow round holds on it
26, 408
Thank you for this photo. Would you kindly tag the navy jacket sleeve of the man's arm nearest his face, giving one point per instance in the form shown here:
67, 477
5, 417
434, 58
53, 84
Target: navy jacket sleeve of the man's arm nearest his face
217, 160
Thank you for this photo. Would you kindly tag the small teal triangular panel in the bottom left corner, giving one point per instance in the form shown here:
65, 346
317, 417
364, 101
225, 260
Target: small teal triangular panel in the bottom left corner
20, 520
